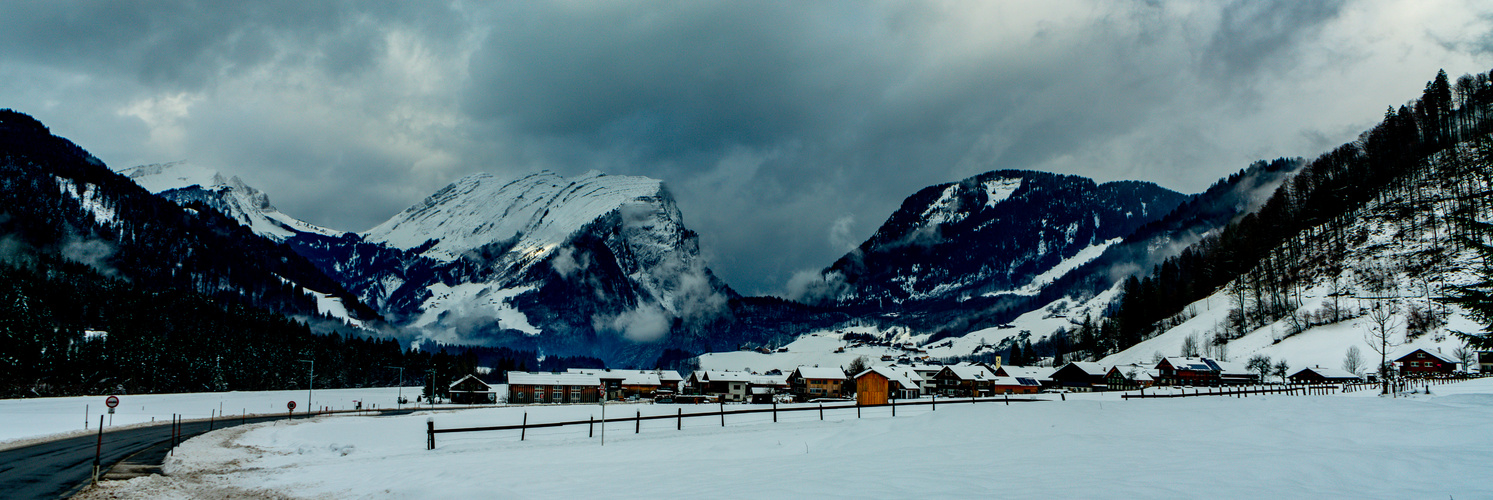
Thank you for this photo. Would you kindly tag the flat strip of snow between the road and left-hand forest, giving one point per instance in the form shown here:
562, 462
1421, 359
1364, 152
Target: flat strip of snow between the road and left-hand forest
28, 420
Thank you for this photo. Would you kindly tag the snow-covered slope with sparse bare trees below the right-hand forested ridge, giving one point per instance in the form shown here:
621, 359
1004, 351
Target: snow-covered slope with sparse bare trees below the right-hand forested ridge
1398, 257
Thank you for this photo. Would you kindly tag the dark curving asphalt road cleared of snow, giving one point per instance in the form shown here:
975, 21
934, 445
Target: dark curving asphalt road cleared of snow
59, 469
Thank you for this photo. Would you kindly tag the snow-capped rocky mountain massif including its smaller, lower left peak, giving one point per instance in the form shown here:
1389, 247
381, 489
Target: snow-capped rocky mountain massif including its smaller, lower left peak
586, 266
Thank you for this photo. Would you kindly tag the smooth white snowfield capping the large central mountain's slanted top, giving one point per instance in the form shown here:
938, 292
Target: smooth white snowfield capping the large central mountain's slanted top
538, 213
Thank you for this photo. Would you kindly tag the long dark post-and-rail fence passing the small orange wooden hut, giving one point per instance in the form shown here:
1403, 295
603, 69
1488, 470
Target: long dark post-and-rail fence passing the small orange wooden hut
680, 416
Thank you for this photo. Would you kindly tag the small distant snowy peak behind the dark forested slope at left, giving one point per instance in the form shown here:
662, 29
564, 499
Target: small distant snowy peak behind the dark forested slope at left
184, 183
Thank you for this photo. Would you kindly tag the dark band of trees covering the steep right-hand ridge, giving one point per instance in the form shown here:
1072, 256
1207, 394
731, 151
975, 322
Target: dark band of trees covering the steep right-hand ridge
1430, 163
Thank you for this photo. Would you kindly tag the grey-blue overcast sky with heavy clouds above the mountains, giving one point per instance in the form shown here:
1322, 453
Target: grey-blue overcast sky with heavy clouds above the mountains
788, 132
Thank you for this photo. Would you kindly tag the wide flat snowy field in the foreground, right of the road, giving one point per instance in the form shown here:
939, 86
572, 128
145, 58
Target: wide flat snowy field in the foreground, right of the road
1089, 447
